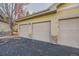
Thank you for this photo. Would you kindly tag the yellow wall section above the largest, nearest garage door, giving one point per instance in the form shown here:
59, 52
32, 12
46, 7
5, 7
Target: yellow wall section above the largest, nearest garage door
69, 11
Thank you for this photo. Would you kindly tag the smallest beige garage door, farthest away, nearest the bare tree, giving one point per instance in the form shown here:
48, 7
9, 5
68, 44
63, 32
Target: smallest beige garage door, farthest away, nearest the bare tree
23, 31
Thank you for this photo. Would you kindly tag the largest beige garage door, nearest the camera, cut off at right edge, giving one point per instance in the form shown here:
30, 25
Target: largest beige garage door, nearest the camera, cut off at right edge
69, 32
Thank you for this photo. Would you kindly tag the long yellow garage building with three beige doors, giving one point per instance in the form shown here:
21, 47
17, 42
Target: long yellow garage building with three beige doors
59, 24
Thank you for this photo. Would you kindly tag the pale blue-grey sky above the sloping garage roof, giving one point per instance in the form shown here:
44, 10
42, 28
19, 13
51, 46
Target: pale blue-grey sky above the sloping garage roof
35, 7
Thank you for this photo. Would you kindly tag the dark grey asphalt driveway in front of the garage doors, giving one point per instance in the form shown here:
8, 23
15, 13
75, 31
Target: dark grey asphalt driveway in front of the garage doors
29, 47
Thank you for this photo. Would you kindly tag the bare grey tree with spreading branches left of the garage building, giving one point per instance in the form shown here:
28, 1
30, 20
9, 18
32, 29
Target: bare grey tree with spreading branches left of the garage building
10, 13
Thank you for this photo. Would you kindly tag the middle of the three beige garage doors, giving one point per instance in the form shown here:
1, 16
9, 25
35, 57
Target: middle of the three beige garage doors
41, 31
